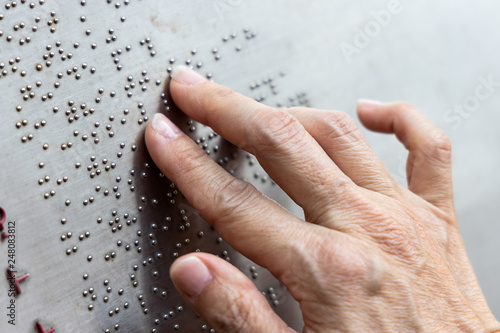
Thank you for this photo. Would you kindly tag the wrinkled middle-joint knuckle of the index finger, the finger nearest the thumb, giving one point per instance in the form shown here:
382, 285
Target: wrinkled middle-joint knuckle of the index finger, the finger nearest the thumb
230, 198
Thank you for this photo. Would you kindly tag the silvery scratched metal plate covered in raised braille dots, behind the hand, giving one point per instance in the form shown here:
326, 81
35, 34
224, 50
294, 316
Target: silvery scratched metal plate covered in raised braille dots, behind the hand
282, 53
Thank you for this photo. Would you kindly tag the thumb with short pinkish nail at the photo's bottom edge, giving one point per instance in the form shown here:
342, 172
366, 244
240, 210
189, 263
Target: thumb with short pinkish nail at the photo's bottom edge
223, 296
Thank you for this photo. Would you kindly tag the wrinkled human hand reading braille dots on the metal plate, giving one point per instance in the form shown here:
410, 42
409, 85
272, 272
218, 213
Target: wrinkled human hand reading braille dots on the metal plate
370, 256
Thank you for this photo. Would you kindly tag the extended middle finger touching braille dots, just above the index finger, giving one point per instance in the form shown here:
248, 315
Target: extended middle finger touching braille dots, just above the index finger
279, 141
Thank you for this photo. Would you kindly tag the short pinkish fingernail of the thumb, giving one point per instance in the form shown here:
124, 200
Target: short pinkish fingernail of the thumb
190, 275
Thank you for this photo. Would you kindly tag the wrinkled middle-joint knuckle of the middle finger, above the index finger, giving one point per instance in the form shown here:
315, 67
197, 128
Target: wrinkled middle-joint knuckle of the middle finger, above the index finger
275, 128
